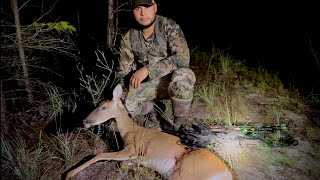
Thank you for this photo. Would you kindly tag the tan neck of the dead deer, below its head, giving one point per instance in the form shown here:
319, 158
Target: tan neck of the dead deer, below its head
125, 123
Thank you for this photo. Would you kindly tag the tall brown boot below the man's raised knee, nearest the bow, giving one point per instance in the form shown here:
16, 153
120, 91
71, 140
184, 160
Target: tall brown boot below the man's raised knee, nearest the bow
181, 108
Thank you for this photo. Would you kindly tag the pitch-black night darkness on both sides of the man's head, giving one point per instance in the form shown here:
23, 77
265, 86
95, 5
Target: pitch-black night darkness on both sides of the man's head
276, 36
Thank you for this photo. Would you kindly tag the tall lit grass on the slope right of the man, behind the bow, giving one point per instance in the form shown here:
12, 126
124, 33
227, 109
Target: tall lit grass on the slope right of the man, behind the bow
224, 76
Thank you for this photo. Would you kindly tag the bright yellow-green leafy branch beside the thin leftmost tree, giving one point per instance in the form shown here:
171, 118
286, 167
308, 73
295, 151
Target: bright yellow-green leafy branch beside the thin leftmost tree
62, 26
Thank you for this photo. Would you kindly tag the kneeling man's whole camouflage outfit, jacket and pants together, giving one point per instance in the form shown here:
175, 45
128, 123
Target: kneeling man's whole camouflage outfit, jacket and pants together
166, 56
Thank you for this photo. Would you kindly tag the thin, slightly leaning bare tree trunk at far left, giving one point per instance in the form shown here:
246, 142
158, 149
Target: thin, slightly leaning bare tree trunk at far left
26, 80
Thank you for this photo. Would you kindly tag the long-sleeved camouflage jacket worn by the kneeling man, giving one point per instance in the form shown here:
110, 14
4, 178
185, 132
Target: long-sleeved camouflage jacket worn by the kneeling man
168, 50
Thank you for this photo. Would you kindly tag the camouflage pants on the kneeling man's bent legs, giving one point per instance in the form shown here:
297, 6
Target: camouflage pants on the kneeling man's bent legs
179, 84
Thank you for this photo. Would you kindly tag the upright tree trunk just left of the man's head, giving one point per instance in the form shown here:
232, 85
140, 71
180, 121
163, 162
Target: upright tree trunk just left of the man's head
110, 25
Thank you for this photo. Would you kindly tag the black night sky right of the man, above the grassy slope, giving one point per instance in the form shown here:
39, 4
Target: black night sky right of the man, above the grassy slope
272, 35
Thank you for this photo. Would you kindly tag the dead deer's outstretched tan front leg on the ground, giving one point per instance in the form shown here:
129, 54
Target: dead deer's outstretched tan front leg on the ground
126, 154
